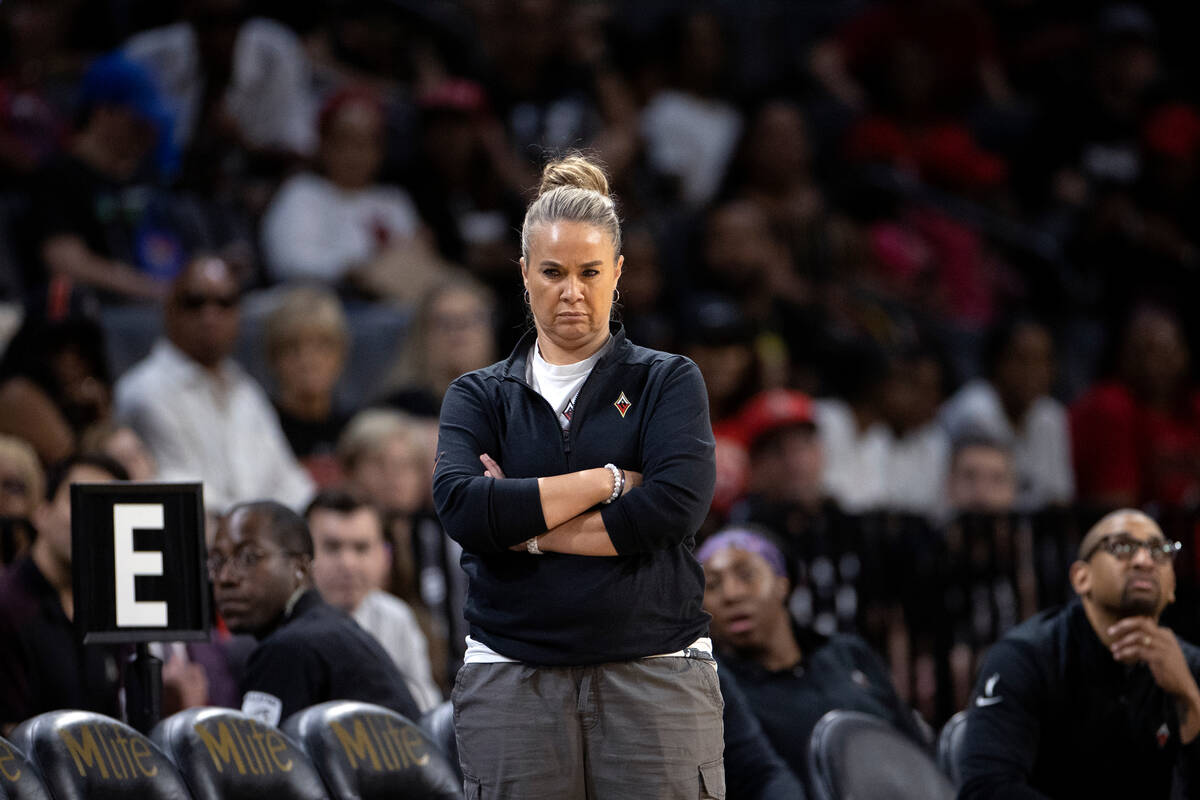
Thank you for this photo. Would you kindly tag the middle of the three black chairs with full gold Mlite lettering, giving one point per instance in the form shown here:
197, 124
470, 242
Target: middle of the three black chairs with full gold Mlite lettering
226, 755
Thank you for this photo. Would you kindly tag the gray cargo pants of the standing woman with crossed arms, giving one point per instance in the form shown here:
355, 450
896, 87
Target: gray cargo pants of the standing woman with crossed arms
626, 731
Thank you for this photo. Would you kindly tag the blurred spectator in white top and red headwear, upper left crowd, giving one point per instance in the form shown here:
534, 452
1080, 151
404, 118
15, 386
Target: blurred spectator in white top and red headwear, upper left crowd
337, 225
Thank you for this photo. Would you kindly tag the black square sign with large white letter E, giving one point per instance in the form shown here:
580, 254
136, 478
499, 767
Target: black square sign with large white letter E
140, 563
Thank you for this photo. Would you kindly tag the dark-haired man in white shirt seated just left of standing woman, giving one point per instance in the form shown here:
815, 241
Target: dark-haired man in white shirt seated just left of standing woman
349, 569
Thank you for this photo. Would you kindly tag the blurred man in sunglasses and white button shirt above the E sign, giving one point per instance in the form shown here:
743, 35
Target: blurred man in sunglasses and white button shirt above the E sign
202, 416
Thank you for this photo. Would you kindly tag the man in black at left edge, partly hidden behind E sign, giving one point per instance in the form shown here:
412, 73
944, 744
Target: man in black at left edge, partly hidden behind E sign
43, 665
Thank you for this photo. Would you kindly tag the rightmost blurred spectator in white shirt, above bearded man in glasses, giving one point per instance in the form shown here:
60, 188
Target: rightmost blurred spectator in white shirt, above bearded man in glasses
1013, 406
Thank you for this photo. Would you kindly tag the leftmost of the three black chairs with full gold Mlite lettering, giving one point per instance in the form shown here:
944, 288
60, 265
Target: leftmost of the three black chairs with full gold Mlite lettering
86, 756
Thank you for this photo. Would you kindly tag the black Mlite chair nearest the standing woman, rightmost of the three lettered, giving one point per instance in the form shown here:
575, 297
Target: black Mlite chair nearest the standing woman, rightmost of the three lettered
369, 753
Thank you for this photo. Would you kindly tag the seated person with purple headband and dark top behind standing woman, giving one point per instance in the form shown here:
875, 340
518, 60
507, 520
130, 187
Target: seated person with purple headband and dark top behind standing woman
790, 676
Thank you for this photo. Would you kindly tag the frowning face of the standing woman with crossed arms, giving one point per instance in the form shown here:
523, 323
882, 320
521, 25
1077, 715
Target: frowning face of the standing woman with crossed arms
571, 276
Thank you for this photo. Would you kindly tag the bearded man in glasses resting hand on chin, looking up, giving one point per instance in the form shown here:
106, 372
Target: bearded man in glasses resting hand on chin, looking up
1095, 700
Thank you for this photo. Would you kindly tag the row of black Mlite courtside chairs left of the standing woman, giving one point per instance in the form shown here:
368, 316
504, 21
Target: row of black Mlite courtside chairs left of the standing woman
334, 751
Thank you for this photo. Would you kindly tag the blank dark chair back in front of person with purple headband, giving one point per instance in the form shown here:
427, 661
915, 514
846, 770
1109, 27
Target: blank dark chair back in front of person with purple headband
855, 756
